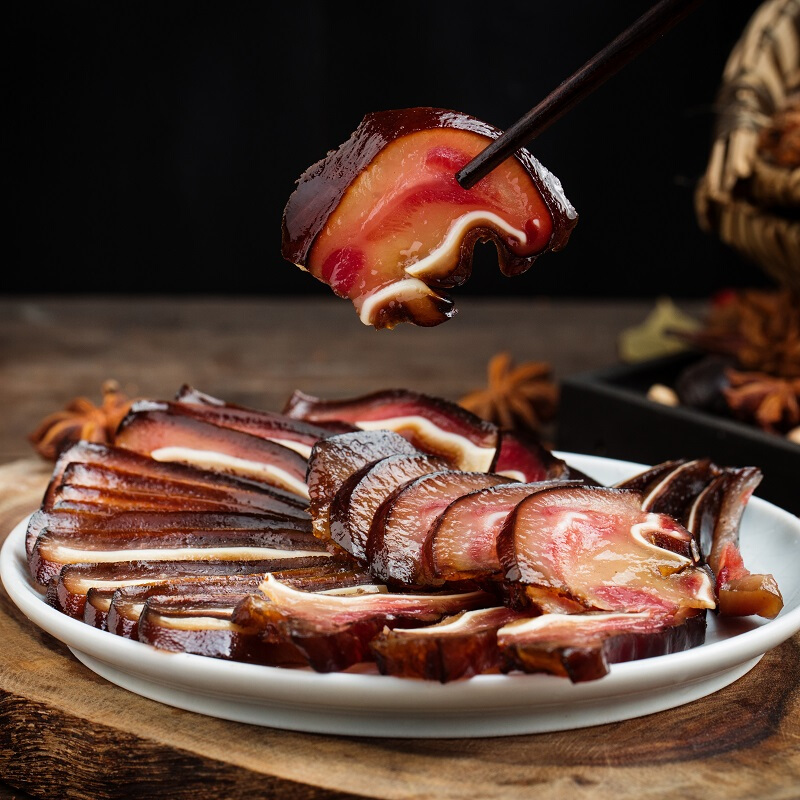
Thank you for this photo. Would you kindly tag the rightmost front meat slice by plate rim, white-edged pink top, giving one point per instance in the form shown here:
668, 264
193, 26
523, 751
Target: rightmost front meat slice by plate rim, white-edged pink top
581, 646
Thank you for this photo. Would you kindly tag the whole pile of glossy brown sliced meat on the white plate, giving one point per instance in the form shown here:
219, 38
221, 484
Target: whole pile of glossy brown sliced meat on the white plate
395, 528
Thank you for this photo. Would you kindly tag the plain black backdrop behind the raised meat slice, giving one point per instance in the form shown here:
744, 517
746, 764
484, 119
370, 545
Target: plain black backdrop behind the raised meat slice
153, 146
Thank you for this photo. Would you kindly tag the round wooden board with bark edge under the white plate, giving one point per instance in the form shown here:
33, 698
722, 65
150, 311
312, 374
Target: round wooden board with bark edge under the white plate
64, 732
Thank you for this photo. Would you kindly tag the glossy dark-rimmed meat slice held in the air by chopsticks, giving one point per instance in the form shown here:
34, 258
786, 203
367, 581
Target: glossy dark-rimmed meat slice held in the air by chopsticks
397, 169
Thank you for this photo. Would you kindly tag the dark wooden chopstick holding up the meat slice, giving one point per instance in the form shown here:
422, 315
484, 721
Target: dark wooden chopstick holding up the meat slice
632, 41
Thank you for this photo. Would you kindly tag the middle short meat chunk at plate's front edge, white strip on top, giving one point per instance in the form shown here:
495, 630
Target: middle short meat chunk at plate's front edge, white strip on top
457, 647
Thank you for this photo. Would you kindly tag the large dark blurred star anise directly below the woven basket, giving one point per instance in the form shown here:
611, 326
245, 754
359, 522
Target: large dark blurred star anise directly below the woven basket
760, 329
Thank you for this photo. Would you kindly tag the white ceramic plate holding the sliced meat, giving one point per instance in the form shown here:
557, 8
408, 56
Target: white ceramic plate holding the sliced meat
486, 705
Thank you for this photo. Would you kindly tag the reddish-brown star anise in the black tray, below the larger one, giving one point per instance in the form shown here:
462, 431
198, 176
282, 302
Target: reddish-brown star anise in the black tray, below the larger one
771, 403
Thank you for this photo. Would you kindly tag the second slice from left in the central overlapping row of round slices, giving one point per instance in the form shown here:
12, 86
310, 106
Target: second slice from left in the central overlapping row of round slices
356, 502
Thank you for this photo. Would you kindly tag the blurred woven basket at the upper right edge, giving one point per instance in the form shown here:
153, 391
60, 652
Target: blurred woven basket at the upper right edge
749, 197
